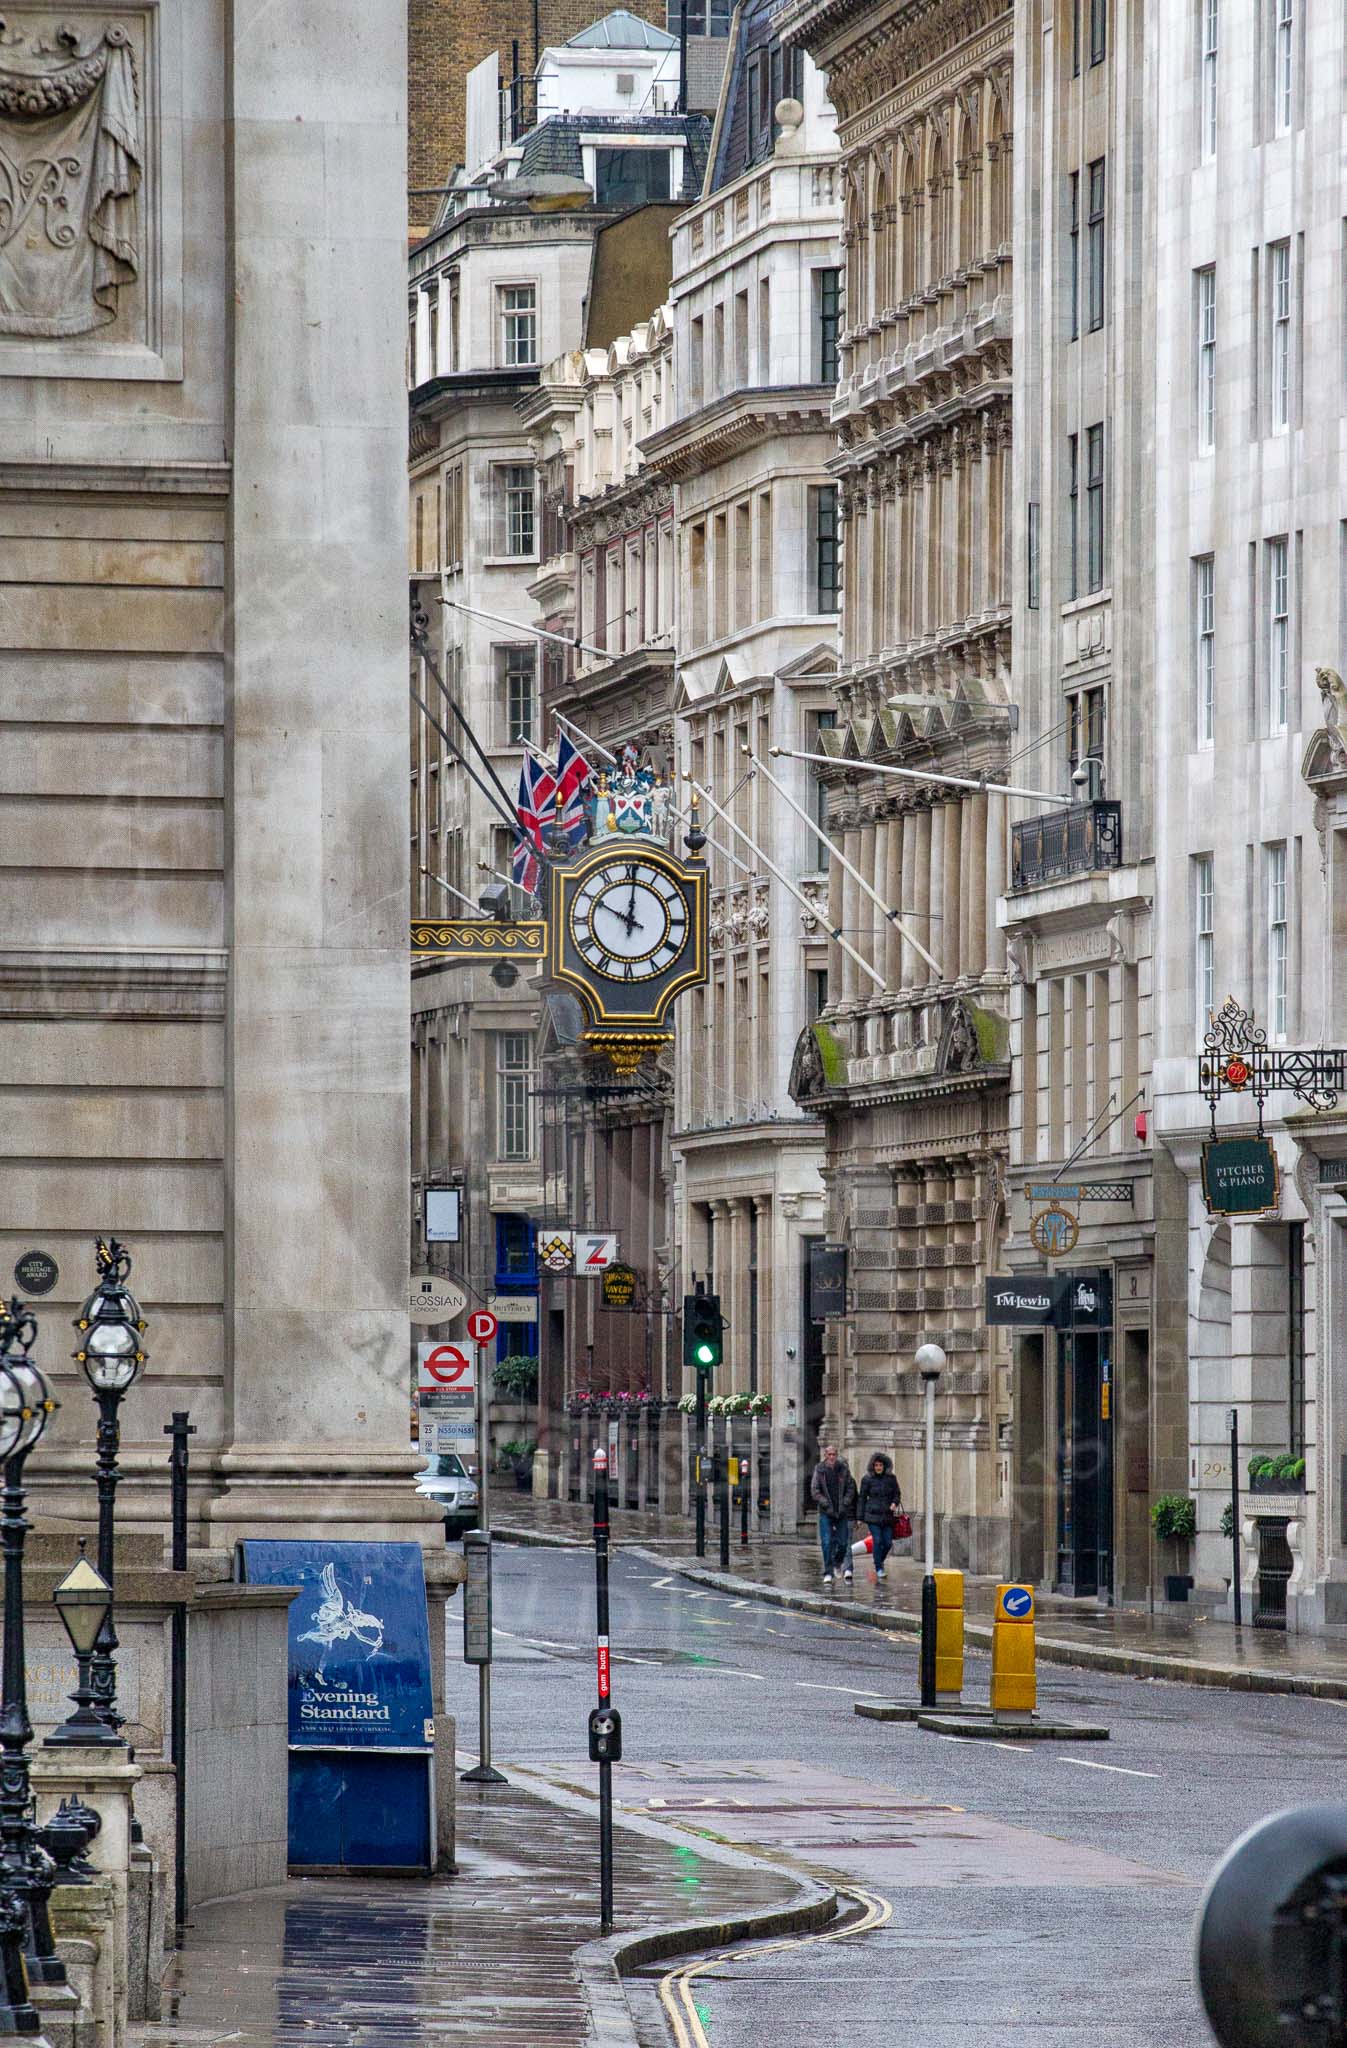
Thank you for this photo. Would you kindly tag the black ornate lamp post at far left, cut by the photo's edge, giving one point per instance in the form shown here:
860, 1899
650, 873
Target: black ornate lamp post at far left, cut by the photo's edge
26, 1869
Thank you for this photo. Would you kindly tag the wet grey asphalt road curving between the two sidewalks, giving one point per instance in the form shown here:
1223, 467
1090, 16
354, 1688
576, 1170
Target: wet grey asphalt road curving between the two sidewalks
1053, 1908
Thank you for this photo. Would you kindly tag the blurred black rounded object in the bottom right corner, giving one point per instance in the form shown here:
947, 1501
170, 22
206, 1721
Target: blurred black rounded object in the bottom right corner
1270, 1928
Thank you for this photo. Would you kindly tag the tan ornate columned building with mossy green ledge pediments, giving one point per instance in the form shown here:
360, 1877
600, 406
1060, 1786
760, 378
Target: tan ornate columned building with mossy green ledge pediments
910, 1062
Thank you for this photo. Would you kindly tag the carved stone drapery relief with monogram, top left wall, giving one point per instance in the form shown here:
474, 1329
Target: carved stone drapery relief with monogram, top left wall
71, 169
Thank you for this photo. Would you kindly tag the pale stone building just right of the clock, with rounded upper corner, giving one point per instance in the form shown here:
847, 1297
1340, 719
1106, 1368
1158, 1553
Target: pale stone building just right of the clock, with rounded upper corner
756, 318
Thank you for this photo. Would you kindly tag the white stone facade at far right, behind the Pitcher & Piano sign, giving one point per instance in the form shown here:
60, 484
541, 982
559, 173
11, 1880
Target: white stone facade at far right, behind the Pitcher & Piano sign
1252, 785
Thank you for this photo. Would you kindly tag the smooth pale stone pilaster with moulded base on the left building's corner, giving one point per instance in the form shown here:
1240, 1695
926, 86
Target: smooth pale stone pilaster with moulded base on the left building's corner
316, 767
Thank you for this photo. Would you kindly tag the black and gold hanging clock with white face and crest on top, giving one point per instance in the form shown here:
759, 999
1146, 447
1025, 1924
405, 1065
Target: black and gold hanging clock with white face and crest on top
627, 929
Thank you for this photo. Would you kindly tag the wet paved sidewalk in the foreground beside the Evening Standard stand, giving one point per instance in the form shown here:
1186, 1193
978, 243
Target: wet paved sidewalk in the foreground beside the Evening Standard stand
507, 1953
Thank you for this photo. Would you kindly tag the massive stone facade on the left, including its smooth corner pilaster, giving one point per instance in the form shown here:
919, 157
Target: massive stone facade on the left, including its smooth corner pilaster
204, 1002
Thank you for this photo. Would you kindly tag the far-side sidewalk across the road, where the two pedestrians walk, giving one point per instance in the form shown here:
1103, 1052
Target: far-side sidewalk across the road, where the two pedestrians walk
1129, 1641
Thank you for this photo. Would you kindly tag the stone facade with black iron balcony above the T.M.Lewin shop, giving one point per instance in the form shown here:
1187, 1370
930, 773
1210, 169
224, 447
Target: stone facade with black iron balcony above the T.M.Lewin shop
1100, 1402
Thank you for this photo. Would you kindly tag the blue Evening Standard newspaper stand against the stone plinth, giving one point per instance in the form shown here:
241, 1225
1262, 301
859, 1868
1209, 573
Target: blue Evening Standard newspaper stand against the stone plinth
359, 1687
